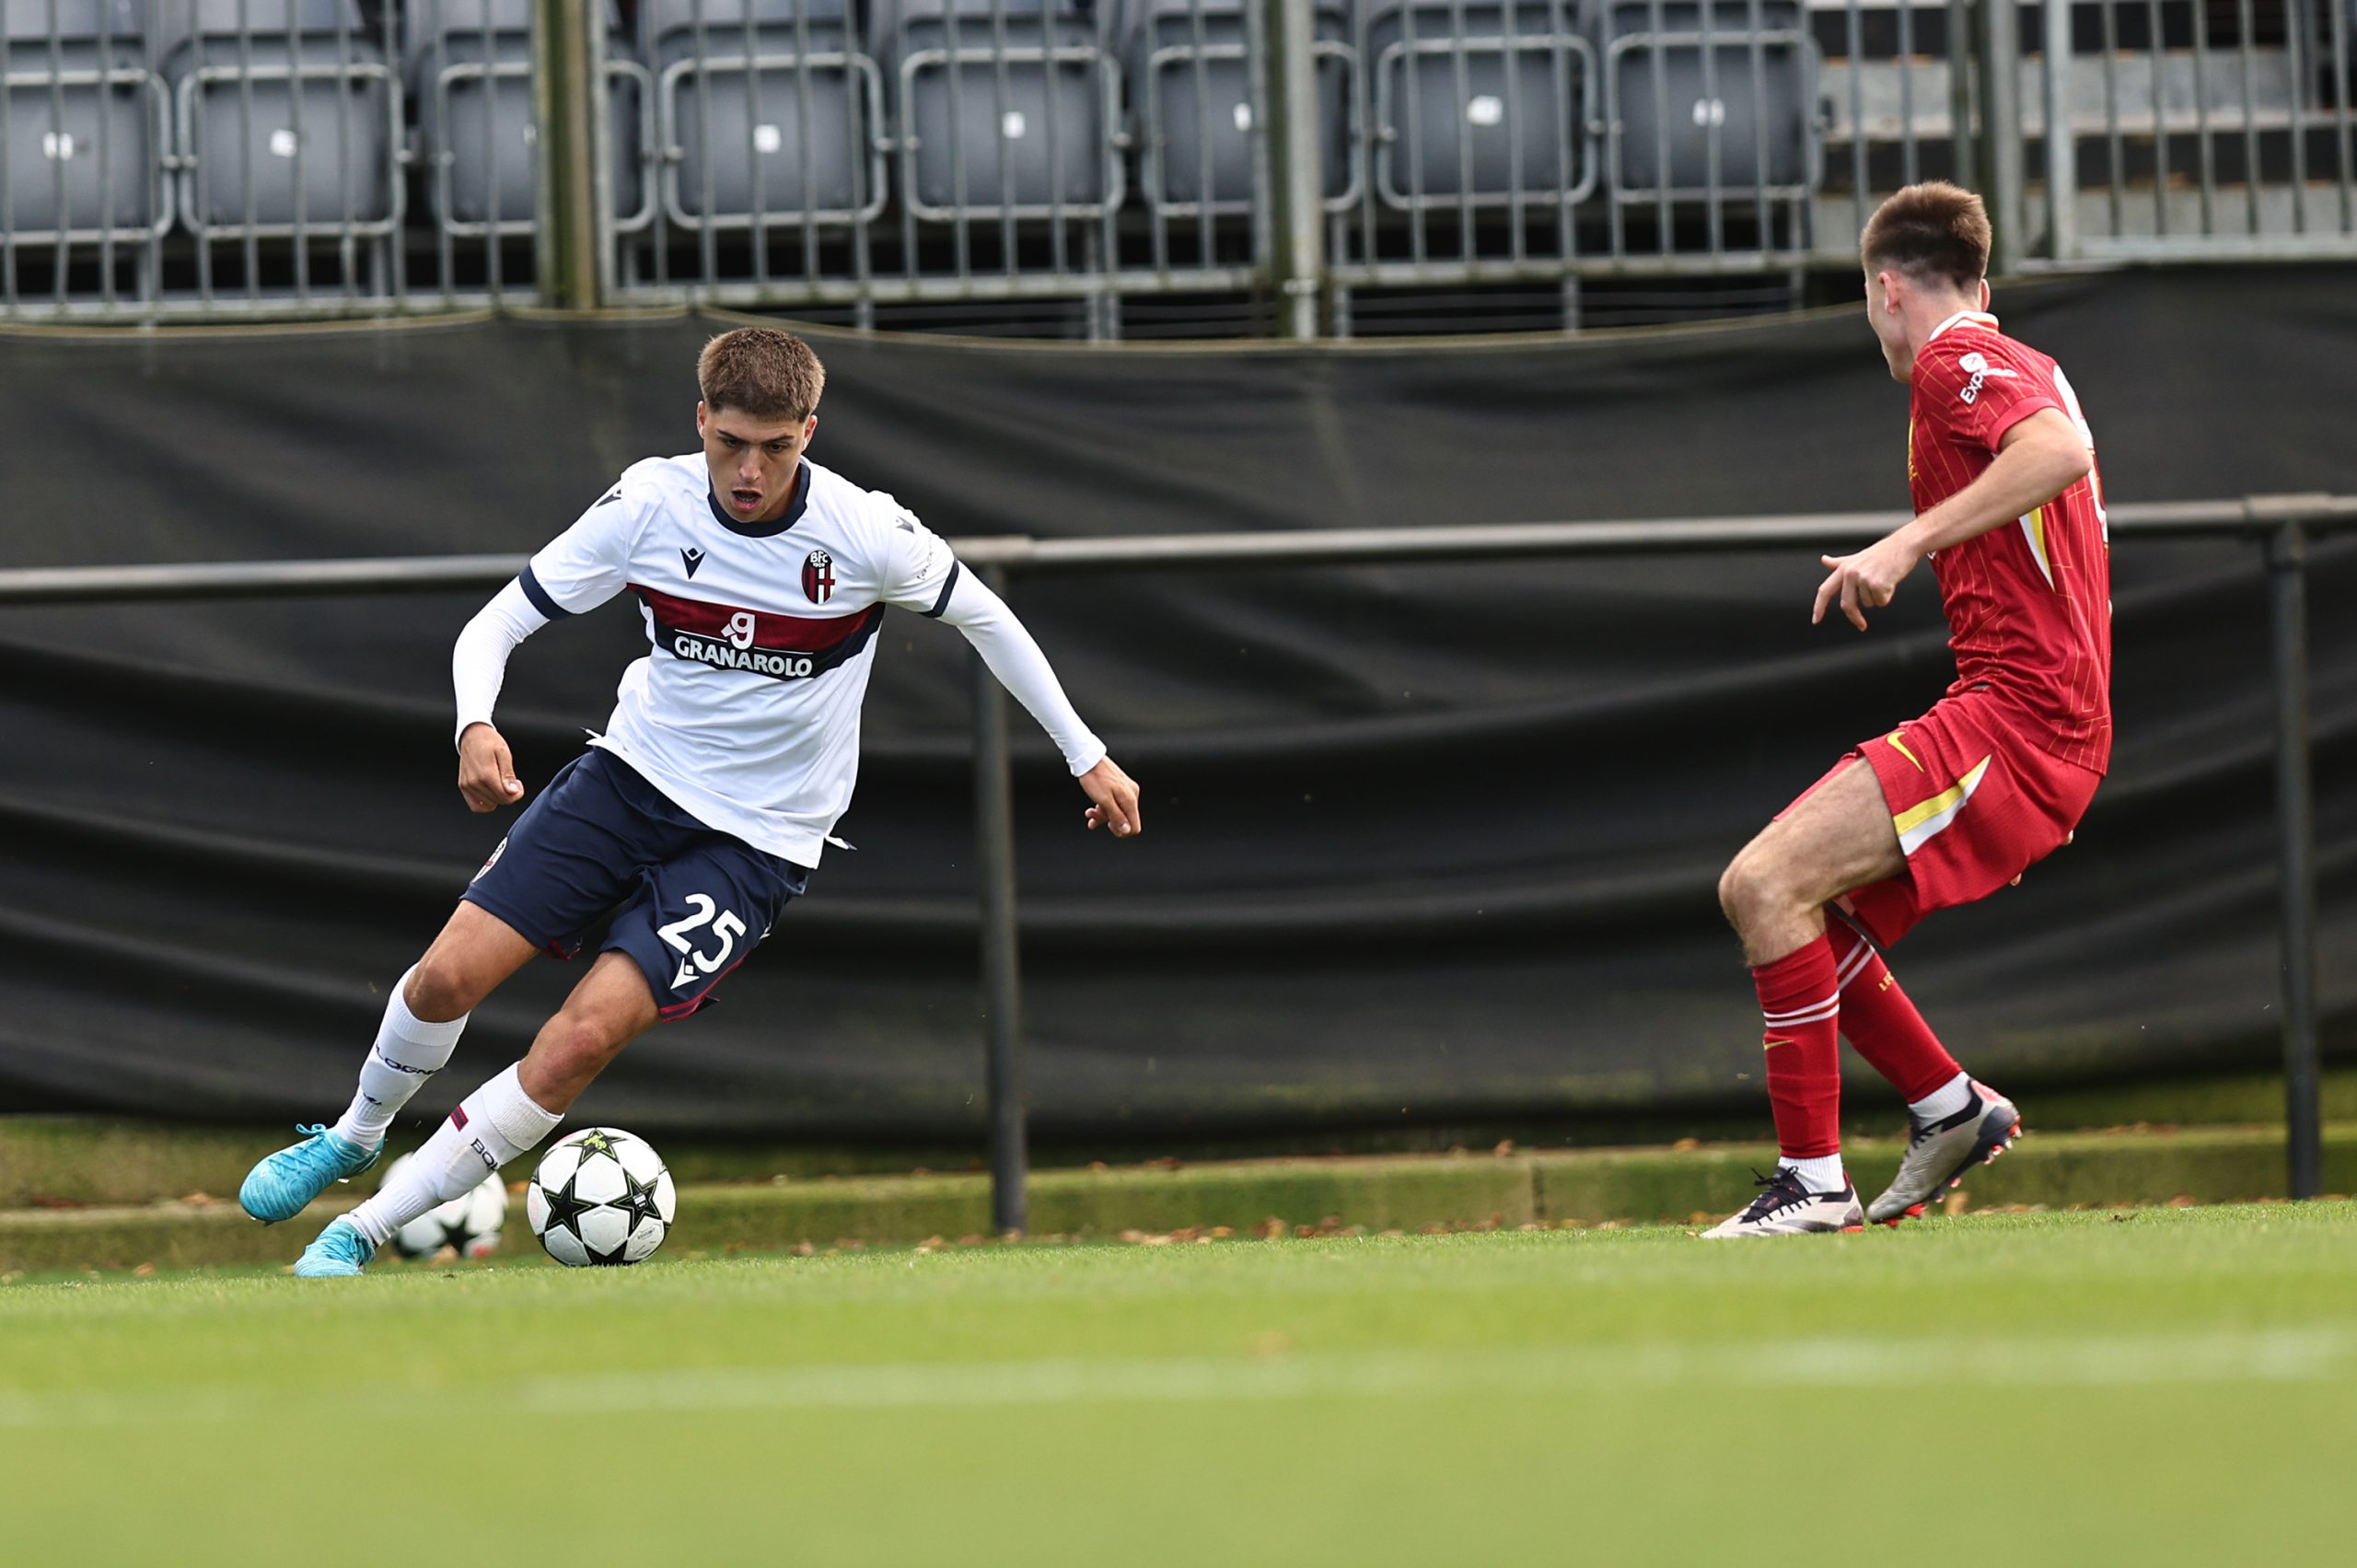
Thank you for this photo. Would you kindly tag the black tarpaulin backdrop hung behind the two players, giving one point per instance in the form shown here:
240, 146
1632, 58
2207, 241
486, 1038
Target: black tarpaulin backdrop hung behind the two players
1422, 843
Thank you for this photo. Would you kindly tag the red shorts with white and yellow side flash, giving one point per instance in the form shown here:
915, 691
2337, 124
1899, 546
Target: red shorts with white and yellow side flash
1974, 805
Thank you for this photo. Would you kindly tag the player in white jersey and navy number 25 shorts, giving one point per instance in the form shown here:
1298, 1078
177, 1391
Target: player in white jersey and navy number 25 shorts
706, 803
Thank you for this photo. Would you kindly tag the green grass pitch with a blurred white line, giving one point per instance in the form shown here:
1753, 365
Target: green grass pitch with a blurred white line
2137, 1388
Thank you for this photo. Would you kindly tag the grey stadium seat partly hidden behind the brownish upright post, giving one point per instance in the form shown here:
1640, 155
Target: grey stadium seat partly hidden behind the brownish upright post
470, 70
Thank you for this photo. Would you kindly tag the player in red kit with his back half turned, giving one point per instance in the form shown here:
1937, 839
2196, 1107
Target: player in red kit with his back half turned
1955, 805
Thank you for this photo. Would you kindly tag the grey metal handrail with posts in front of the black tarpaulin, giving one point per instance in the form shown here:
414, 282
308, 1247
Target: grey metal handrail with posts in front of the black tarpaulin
2280, 525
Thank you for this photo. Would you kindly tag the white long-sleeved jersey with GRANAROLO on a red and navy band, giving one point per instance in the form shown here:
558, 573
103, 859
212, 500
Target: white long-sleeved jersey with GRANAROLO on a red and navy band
748, 706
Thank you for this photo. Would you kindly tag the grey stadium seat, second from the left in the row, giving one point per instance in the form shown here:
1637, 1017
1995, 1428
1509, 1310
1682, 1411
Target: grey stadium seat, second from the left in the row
289, 117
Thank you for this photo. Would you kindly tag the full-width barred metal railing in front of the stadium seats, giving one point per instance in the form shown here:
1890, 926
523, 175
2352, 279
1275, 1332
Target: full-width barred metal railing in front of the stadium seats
1111, 164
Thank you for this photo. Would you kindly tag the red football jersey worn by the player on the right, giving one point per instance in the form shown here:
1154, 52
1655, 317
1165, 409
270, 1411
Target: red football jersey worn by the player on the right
2028, 607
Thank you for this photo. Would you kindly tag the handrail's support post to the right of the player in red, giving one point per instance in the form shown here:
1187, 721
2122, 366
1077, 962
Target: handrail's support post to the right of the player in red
2297, 852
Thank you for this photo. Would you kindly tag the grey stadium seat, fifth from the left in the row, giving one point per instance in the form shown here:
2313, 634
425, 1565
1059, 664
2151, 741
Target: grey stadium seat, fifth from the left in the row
1008, 107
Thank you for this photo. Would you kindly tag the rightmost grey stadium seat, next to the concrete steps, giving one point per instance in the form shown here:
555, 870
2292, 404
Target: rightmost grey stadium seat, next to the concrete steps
1684, 77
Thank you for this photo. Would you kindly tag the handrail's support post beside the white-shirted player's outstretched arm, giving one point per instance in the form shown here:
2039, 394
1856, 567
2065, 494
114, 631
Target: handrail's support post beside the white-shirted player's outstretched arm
1003, 982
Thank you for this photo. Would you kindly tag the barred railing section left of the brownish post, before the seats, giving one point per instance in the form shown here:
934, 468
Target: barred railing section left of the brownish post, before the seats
242, 159
